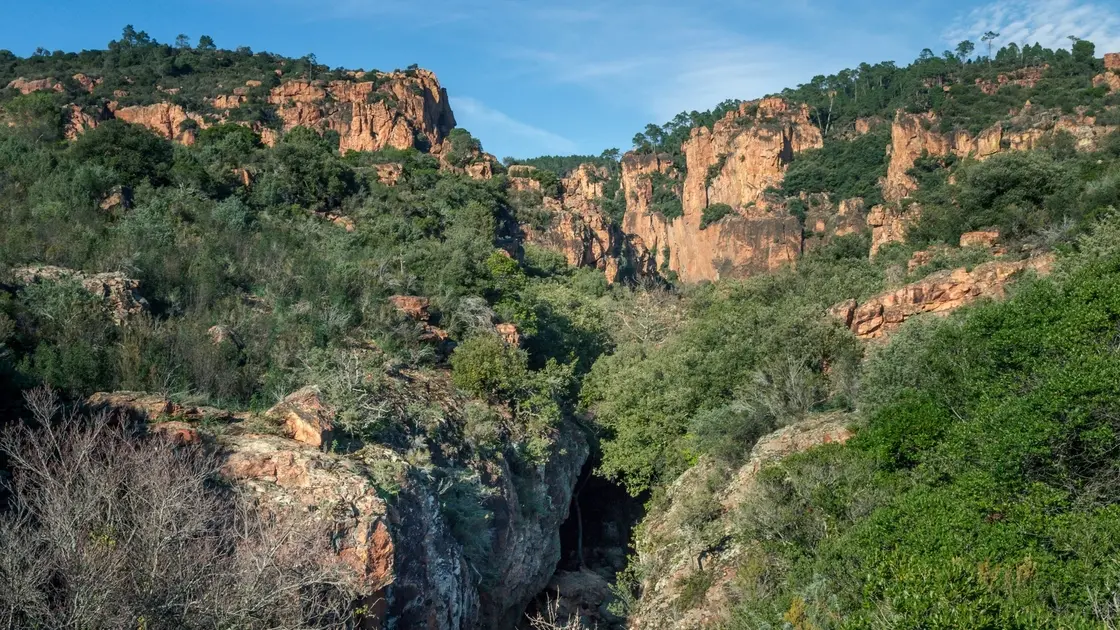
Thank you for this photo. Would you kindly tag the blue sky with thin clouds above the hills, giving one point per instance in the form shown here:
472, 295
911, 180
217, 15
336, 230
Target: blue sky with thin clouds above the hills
562, 77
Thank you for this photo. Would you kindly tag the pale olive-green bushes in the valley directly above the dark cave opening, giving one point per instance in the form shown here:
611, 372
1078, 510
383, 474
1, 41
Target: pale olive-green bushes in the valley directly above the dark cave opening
752, 357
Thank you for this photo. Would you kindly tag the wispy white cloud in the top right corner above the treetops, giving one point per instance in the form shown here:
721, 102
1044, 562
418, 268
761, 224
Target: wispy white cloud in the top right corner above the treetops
1049, 23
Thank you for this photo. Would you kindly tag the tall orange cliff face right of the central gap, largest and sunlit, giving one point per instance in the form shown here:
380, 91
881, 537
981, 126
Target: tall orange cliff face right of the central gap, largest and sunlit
745, 154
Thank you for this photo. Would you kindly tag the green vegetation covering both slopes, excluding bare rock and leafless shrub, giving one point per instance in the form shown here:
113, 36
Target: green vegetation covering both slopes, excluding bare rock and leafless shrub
981, 489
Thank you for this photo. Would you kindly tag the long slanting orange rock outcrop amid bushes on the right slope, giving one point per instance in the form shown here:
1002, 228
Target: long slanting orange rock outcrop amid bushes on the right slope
940, 293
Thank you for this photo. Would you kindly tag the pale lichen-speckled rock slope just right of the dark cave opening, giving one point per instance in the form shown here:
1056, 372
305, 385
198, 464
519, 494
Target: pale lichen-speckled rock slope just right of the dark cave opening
671, 553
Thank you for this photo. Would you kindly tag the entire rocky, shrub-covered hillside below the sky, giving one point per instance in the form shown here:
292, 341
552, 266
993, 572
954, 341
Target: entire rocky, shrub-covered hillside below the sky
843, 357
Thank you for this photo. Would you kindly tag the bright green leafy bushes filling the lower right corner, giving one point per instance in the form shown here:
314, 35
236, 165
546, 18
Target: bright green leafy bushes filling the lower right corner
982, 492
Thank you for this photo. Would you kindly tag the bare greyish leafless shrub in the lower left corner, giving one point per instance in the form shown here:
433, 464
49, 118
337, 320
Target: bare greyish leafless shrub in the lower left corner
110, 530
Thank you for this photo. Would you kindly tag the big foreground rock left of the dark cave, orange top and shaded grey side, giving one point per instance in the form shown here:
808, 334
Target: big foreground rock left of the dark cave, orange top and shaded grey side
386, 515
